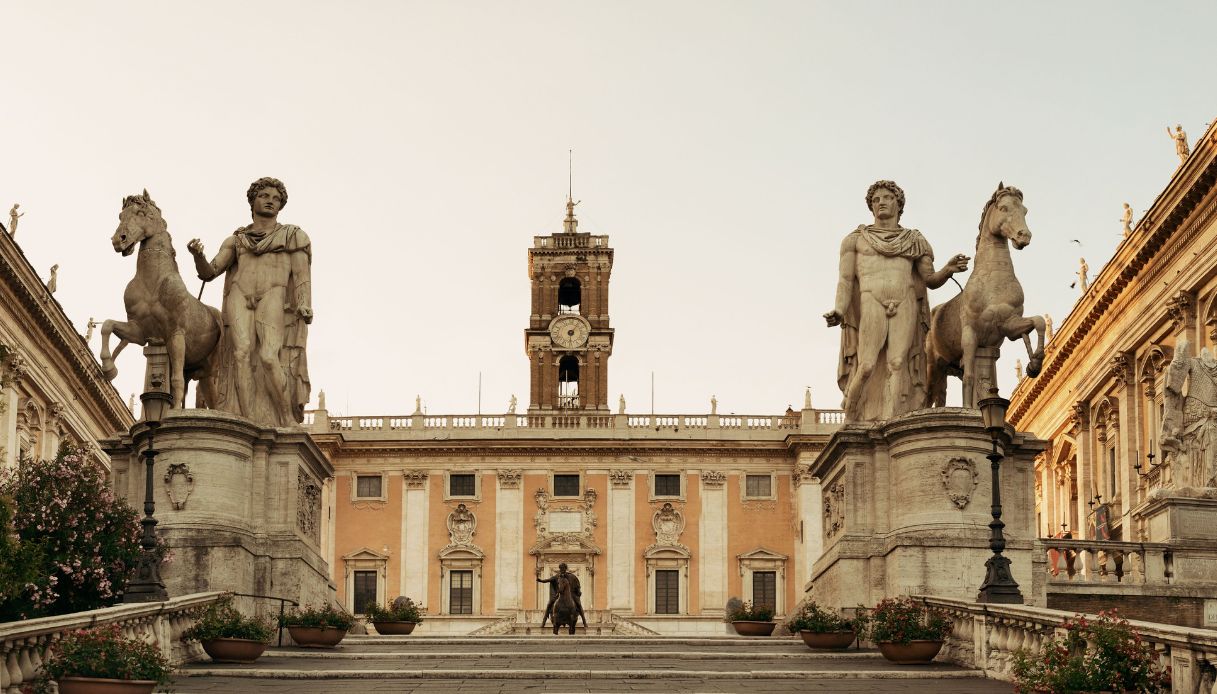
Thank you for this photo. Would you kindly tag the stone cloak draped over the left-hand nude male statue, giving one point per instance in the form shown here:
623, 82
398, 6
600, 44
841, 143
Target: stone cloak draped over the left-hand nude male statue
293, 357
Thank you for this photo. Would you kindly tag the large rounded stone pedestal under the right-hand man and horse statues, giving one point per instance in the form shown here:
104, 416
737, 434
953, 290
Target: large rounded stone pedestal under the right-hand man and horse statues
906, 507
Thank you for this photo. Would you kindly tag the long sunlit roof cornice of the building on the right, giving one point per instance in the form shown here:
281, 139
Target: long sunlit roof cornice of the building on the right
1168, 228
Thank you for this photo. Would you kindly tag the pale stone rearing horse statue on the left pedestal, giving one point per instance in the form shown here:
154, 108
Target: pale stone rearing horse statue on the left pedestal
159, 306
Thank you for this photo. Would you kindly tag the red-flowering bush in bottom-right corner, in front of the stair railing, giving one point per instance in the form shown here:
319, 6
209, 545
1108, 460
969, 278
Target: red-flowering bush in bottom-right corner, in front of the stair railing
1118, 661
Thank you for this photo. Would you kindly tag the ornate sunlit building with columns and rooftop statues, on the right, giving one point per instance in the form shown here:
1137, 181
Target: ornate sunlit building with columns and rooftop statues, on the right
1101, 401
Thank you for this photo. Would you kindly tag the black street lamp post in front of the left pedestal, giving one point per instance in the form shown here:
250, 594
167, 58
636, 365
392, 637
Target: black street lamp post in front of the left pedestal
148, 586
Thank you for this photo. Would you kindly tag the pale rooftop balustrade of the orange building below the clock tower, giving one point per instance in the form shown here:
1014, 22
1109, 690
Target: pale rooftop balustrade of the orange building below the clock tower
548, 426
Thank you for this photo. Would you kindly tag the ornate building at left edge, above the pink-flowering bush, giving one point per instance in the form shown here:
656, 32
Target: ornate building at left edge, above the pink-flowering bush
52, 389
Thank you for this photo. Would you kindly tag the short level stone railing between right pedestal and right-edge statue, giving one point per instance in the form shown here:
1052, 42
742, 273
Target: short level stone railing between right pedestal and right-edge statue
1085, 562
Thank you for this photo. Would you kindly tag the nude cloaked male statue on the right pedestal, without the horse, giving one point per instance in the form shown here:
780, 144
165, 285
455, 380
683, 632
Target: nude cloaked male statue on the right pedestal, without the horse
883, 310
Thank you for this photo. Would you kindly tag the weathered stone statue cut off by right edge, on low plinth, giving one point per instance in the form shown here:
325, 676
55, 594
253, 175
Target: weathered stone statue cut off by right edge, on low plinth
1190, 421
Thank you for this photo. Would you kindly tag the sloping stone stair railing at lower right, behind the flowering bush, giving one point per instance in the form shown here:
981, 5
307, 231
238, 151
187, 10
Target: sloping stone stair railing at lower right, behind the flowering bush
986, 637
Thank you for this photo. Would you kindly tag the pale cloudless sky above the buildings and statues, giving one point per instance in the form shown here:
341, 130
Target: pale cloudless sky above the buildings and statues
726, 149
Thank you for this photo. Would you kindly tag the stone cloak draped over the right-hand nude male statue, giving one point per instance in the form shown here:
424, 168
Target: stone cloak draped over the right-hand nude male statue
895, 244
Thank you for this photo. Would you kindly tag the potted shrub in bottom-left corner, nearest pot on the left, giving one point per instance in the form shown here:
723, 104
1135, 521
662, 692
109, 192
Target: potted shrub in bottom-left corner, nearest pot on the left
103, 662
